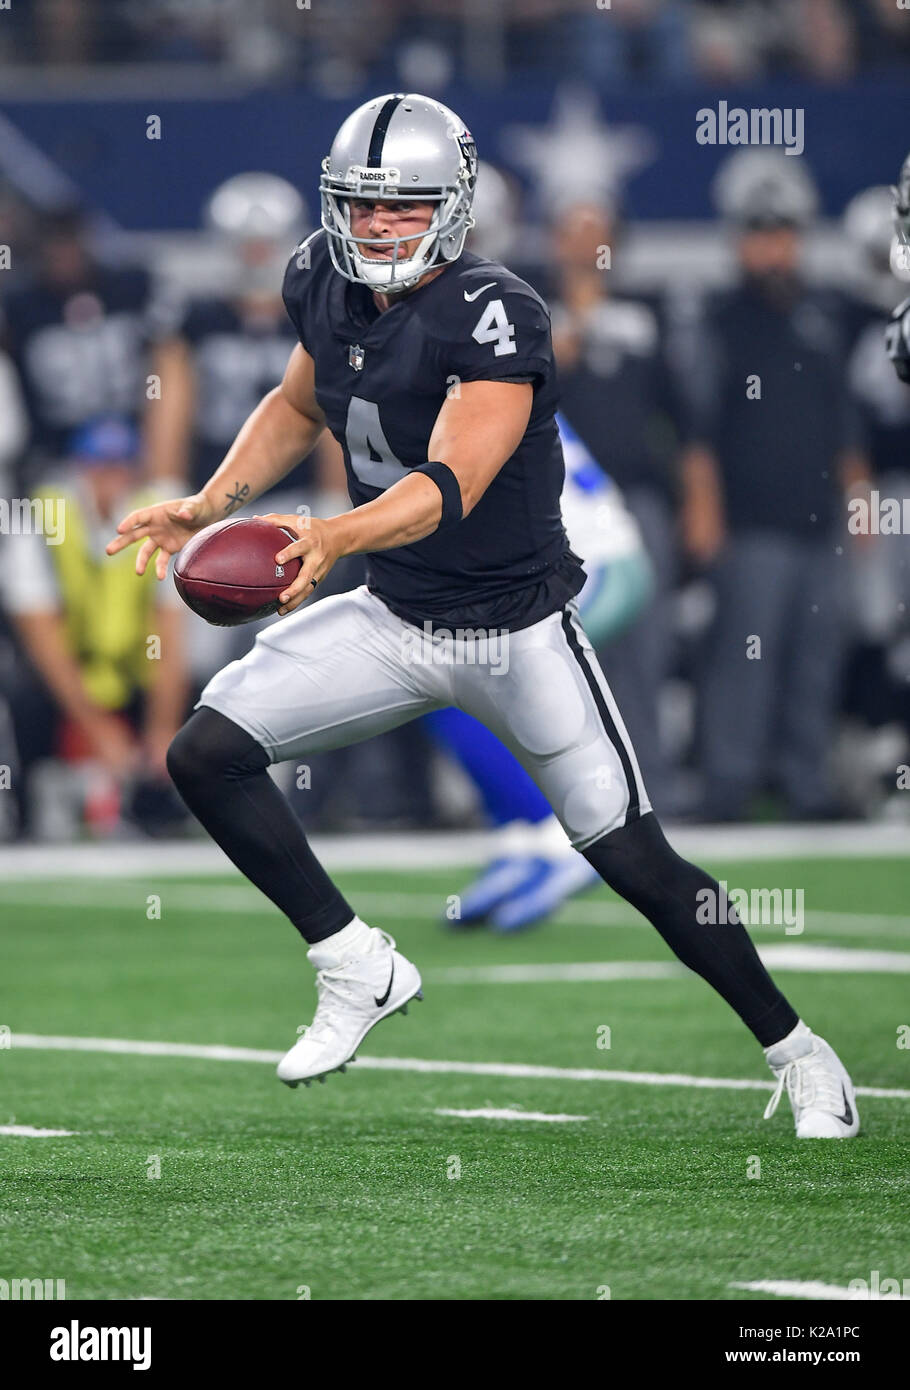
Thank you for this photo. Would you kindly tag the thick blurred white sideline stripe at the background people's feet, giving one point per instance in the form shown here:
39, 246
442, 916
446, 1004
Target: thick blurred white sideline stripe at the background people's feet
441, 850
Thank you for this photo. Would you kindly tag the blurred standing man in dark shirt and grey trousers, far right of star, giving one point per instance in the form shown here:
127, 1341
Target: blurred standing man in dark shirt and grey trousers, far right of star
766, 480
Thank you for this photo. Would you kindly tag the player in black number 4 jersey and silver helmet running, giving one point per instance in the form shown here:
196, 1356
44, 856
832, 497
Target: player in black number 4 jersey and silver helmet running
434, 370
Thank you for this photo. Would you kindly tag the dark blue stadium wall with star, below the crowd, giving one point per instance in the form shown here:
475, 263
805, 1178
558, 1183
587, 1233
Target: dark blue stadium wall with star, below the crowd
855, 136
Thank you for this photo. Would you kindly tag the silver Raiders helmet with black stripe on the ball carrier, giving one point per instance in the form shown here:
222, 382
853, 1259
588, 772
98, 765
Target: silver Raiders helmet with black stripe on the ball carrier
409, 148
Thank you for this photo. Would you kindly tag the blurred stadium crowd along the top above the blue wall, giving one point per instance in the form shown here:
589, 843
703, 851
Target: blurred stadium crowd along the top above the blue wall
356, 42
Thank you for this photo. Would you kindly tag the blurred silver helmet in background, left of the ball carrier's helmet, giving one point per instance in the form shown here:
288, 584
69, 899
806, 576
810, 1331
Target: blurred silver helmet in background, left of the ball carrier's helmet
262, 218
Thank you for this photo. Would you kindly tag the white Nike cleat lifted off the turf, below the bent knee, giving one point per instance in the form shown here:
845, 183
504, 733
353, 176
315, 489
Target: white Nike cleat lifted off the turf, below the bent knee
356, 992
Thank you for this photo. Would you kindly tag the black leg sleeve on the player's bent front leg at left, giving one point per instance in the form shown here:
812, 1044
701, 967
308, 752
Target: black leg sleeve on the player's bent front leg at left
222, 775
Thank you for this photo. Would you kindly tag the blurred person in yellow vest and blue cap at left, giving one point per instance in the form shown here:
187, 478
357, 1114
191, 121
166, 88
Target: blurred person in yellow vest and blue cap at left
105, 690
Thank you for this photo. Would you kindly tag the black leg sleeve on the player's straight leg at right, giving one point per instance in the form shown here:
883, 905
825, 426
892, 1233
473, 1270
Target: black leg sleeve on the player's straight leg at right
640, 864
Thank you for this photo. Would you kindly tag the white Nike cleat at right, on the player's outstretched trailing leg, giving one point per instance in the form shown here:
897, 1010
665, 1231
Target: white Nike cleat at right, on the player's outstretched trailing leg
822, 1093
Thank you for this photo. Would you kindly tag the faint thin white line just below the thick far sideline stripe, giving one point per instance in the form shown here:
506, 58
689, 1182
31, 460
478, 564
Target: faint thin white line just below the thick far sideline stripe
412, 906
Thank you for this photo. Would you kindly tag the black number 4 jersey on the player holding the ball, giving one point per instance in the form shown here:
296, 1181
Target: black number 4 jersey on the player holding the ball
383, 377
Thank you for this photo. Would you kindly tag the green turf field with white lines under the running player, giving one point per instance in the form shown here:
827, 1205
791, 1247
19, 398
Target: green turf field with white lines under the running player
359, 1189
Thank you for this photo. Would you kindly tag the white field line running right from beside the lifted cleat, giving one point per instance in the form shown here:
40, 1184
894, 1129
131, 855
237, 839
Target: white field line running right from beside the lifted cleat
804, 958
